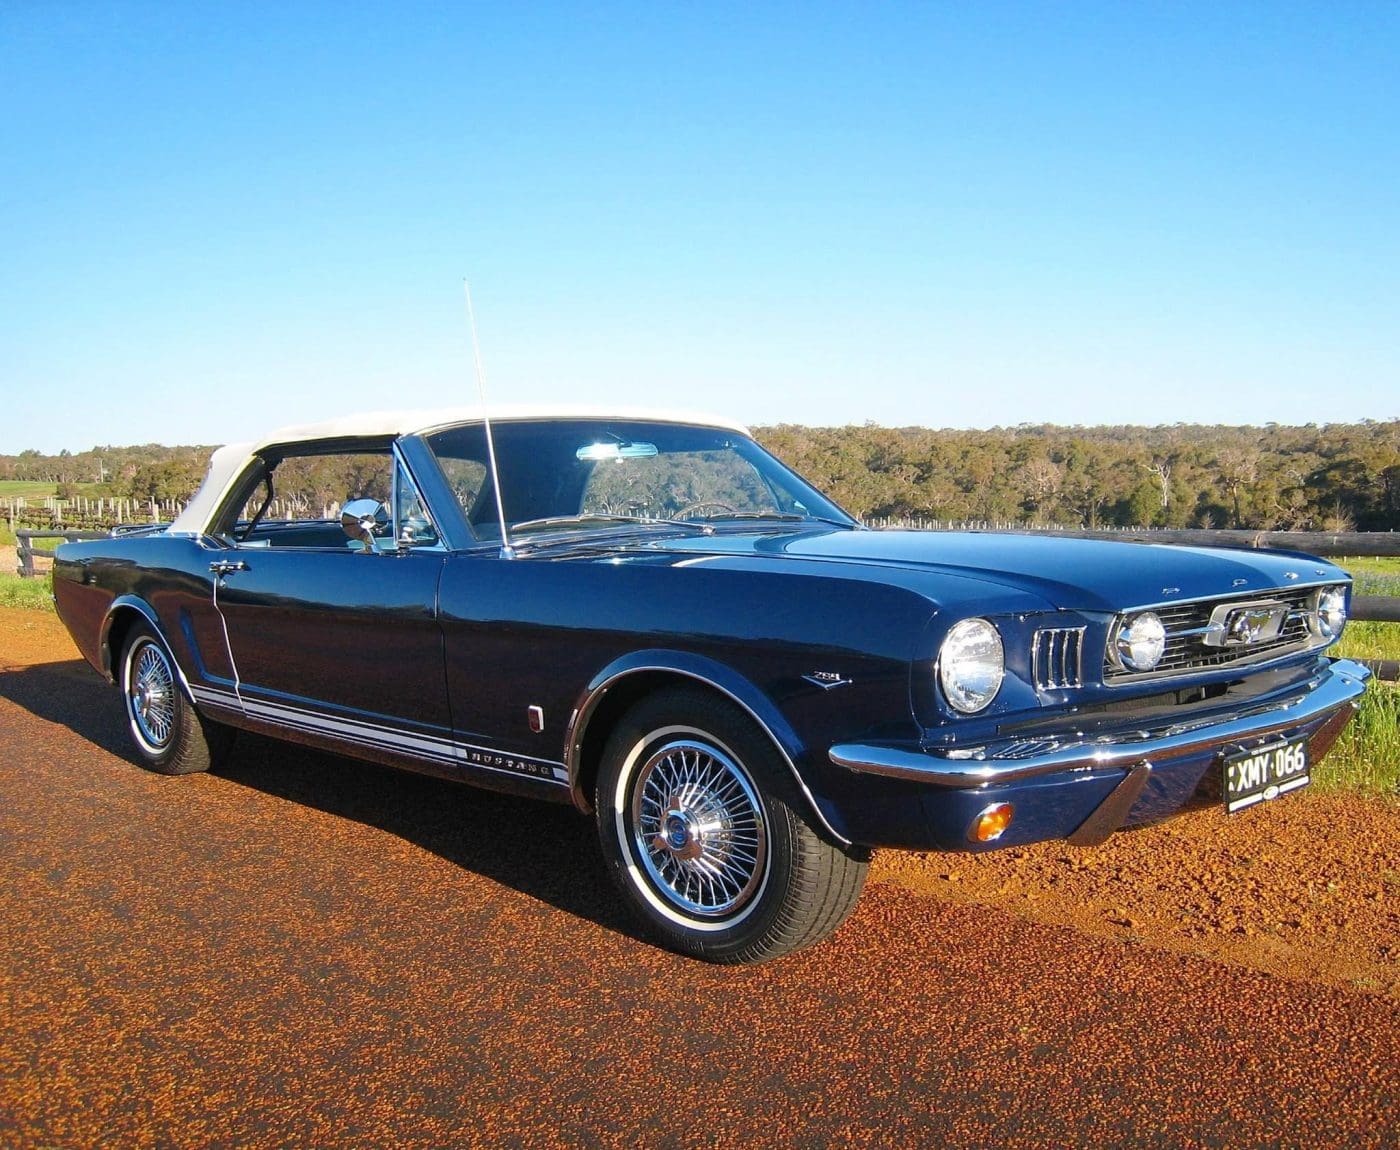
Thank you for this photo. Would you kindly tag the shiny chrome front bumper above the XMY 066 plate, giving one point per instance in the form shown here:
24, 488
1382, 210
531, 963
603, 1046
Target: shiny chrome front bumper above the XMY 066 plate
1342, 686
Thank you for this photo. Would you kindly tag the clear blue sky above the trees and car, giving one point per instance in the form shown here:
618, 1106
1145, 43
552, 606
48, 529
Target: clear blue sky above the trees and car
216, 219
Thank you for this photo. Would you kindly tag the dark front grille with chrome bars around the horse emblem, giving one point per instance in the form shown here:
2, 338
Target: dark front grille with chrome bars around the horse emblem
1188, 625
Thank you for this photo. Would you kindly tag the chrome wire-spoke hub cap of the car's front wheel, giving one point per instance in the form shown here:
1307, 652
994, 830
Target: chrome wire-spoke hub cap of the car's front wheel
698, 829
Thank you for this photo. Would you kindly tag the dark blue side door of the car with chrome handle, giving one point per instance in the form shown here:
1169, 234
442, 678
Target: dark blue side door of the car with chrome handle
338, 639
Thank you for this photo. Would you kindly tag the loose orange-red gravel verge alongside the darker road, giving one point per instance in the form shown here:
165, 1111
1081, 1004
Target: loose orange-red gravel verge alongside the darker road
1307, 889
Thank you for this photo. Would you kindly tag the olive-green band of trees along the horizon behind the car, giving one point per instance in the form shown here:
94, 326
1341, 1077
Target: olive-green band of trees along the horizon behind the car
1318, 478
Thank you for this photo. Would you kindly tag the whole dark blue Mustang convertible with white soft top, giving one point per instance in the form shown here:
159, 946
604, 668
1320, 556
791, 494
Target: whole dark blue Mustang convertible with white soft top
654, 620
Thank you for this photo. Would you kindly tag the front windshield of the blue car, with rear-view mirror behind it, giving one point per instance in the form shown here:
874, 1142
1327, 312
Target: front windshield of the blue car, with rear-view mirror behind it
584, 476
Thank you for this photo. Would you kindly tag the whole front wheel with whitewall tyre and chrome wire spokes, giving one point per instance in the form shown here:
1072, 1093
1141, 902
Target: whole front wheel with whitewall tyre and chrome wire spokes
702, 834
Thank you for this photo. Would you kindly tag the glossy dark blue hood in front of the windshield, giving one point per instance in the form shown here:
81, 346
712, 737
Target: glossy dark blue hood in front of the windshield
1077, 575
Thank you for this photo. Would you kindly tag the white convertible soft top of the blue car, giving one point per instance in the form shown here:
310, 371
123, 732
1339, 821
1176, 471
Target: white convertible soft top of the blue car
229, 462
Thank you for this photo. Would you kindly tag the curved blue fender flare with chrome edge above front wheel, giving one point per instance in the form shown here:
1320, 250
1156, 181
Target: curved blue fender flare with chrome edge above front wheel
671, 665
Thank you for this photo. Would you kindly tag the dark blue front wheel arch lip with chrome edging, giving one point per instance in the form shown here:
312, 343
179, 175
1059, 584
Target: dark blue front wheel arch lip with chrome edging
626, 681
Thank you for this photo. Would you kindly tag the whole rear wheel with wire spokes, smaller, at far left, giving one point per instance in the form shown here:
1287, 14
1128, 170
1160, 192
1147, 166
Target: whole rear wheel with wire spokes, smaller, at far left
169, 735
